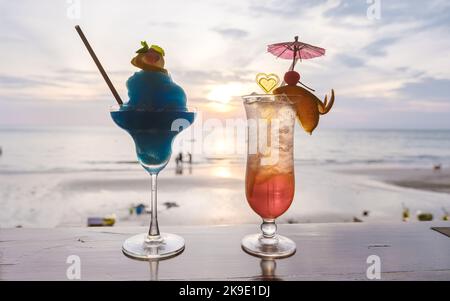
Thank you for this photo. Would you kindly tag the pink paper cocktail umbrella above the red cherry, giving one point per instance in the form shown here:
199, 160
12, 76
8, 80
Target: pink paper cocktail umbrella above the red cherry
295, 51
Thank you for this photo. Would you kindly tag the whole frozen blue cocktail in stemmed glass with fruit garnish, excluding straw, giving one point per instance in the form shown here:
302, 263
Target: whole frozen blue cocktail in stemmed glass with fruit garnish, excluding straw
154, 114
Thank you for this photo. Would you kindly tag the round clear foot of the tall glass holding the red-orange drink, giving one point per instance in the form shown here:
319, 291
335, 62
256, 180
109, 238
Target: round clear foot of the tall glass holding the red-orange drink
277, 247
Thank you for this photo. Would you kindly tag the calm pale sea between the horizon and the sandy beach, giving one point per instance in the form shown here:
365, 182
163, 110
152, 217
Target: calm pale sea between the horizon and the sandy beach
78, 149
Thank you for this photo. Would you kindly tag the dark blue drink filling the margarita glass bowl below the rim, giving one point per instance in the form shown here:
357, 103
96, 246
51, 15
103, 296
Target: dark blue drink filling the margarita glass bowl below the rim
153, 133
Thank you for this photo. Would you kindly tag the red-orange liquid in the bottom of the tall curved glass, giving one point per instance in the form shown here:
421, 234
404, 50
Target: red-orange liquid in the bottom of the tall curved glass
269, 194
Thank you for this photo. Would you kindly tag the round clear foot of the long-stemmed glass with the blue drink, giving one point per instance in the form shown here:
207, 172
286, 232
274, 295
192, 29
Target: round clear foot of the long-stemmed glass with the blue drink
140, 247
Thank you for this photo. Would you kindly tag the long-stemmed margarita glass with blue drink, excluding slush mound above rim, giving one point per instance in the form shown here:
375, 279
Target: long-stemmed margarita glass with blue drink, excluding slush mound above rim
153, 132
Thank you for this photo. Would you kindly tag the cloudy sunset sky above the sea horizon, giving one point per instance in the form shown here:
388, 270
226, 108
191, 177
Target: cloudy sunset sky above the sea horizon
388, 61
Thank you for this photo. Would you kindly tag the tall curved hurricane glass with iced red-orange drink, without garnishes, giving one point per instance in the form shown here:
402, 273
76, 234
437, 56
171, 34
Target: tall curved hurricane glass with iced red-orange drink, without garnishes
269, 180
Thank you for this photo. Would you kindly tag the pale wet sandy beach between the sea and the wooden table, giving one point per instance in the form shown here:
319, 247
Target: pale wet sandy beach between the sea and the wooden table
213, 194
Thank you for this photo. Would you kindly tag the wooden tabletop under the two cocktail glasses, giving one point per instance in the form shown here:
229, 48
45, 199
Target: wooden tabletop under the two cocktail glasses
407, 251
